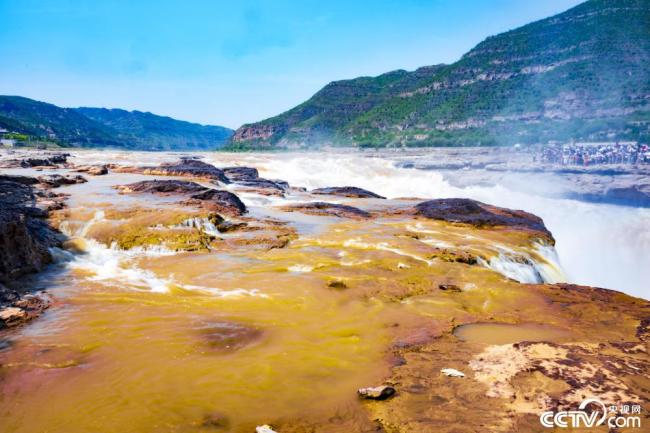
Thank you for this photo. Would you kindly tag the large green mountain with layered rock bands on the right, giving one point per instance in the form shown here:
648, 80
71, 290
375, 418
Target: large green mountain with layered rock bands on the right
583, 74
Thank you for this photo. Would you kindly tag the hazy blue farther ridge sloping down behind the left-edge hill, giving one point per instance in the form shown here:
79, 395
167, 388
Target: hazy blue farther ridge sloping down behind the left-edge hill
149, 131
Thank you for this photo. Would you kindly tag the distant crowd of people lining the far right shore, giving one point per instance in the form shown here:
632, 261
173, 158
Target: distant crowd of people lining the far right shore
594, 154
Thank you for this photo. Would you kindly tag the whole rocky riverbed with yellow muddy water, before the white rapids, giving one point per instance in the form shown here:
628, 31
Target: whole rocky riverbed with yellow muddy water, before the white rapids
193, 294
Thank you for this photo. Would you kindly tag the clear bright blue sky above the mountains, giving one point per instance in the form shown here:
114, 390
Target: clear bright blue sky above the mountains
232, 62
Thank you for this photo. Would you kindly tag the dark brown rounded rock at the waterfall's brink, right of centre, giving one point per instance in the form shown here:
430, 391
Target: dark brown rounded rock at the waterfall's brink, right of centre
466, 211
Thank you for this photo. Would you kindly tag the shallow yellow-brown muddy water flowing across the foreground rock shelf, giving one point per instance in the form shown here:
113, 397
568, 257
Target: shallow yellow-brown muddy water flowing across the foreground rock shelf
225, 340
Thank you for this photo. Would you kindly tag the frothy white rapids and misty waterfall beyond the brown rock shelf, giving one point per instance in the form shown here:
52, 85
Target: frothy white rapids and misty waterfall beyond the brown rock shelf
597, 244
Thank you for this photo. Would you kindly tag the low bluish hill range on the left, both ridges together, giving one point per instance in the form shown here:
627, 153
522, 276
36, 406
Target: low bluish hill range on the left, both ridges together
100, 127
